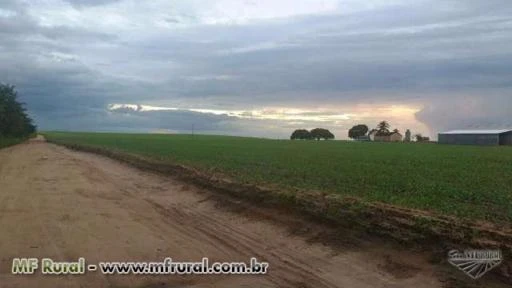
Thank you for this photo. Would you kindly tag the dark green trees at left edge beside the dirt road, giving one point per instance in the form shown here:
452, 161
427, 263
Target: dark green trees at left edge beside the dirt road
14, 121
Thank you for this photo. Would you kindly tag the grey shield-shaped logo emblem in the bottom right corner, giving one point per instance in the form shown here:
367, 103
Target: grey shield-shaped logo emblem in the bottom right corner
475, 263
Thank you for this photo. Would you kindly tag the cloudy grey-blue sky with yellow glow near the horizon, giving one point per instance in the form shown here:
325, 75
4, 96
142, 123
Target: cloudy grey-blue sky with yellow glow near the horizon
259, 68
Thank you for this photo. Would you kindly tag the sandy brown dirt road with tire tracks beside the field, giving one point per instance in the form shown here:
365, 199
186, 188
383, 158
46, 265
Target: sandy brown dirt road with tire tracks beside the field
63, 204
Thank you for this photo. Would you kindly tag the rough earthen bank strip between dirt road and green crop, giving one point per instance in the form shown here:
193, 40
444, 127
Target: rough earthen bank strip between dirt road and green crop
407, 226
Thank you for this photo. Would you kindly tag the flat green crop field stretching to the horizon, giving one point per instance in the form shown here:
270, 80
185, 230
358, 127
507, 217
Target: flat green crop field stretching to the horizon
466, 181
